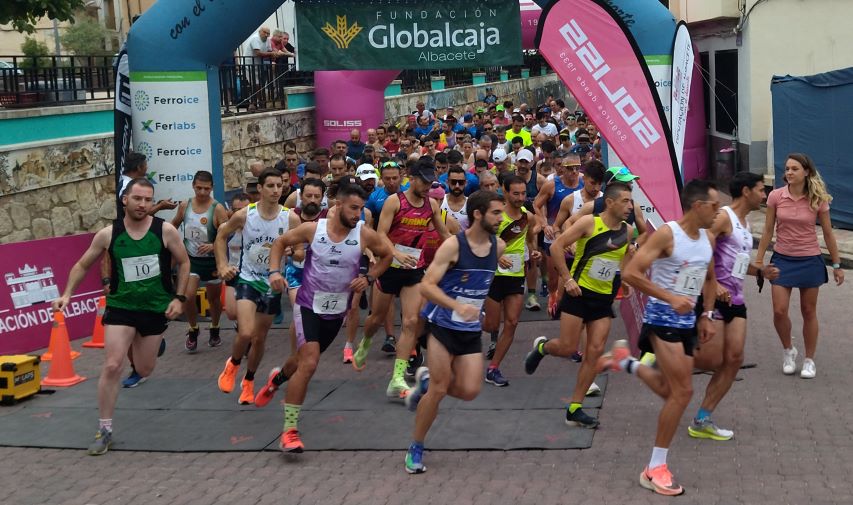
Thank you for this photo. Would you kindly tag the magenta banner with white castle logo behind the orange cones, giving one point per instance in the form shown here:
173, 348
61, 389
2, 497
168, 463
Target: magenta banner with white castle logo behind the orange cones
35, 273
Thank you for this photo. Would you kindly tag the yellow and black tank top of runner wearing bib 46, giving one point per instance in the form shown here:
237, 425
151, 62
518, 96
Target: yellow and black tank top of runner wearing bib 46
597, 257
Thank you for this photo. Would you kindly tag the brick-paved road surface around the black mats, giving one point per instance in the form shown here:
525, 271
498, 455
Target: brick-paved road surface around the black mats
793, 443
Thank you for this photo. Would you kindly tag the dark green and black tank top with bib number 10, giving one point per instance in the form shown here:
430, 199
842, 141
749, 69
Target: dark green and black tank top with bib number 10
141, 277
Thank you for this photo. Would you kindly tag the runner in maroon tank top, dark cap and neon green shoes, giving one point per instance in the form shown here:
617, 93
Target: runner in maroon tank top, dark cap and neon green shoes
405, 217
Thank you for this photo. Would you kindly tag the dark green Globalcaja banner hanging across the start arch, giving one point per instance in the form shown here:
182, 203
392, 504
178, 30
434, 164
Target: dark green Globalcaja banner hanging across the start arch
399, 35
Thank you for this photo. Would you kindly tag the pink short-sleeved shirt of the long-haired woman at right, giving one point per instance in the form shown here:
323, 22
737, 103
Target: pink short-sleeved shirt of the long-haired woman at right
795, 224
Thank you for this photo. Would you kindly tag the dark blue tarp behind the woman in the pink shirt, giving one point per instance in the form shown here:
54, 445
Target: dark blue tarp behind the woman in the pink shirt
814, 115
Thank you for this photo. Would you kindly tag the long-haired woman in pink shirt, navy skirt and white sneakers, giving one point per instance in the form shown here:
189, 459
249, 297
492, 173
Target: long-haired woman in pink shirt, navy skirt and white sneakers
791, 212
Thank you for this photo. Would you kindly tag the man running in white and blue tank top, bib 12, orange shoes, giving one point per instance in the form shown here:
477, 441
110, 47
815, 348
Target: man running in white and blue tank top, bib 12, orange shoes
680, 256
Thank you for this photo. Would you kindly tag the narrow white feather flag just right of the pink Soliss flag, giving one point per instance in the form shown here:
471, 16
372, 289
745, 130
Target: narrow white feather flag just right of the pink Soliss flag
682, 74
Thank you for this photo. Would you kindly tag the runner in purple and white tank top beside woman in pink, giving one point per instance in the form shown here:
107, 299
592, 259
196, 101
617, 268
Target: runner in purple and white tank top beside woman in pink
724, 353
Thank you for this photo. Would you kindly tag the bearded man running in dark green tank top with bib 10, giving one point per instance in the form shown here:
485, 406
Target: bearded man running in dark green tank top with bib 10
141, 300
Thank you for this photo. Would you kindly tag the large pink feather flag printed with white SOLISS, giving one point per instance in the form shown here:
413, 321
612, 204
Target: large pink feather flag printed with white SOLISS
600, 63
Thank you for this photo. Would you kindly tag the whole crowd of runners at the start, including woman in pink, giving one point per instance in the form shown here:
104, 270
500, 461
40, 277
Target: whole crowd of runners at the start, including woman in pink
459, 219
